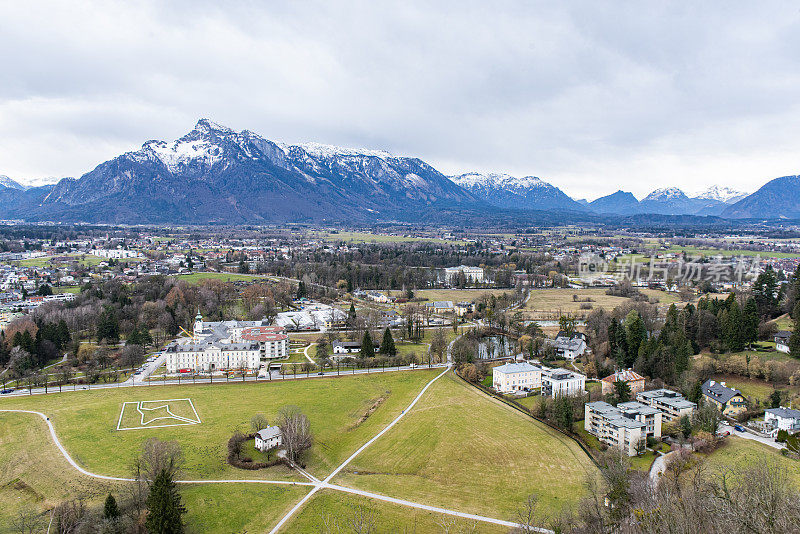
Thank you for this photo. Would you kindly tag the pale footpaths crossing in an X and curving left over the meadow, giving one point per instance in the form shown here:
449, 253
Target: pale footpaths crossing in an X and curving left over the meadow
314, 483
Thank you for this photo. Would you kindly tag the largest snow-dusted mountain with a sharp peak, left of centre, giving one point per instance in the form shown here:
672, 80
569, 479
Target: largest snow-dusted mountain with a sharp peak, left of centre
216, 174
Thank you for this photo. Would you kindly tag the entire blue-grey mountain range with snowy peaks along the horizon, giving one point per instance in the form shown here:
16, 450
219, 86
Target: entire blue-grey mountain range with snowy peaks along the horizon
214, 174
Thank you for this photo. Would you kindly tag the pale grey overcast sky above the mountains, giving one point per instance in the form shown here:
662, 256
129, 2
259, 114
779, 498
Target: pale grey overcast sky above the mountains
593, 98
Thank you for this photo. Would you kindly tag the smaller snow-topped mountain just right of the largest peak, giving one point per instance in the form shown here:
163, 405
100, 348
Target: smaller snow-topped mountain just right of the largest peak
510, 192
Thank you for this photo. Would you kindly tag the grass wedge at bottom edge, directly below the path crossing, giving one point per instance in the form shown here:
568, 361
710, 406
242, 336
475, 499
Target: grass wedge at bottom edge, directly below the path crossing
328, 507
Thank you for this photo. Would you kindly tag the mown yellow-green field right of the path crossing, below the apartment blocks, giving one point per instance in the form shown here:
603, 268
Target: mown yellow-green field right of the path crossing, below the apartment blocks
460, 449
